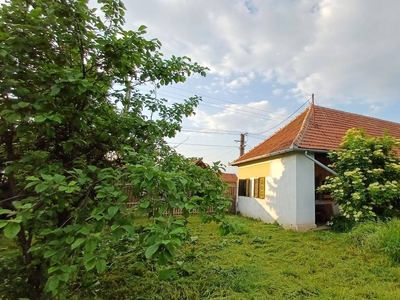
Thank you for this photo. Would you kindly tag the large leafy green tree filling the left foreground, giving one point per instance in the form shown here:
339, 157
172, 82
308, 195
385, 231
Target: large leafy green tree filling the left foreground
75, 129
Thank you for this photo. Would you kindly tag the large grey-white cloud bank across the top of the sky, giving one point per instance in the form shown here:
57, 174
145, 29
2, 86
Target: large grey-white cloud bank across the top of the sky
342, 50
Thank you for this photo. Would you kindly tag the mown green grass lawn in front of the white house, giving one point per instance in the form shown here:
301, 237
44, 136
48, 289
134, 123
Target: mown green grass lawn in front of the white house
262, 262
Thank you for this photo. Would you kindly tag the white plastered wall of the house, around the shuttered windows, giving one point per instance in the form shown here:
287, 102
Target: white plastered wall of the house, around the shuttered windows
289, 191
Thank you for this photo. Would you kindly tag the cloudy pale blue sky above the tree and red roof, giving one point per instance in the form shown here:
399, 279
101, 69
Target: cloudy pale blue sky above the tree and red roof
266, 58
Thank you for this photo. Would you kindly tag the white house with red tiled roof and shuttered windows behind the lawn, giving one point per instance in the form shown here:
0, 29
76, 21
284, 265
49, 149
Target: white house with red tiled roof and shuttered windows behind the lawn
279, 177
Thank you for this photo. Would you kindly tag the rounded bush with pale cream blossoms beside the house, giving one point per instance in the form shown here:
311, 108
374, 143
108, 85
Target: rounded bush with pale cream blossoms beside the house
366, 185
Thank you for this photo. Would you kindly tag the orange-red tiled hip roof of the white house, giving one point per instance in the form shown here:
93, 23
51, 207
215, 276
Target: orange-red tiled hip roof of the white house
319, 129
